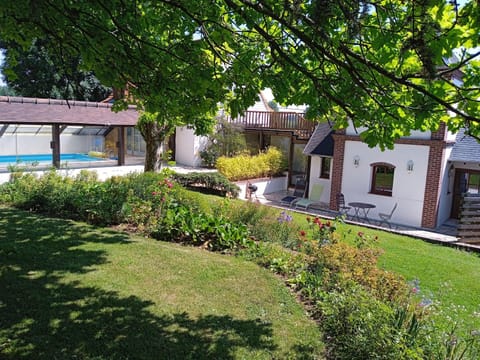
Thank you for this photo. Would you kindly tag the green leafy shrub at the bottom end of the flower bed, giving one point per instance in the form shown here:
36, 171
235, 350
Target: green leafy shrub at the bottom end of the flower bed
356, 325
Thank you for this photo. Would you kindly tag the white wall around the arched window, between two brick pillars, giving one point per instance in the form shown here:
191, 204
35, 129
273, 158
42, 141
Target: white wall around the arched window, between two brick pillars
408, 187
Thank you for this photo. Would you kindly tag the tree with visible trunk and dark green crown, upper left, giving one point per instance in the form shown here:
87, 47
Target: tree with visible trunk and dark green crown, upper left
177, 70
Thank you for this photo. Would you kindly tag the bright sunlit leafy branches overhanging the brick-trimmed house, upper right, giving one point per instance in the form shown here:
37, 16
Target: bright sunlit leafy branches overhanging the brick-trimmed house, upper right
389, 66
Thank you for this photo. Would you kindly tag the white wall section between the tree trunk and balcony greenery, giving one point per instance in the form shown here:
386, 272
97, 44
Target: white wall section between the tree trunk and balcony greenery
188, 147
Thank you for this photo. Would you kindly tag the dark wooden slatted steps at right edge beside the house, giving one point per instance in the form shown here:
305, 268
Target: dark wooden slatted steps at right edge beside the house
469, 222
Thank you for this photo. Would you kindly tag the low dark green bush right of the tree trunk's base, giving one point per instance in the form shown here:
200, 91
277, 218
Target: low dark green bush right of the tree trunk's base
211, 182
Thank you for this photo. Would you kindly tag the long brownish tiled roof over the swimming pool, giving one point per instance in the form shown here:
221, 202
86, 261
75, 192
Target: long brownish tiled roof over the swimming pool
22, 110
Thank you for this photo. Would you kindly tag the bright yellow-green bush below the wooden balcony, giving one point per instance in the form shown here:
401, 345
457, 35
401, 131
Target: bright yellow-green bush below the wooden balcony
269, 163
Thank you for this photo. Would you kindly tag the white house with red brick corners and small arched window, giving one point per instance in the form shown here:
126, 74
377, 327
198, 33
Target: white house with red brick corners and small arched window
425, 174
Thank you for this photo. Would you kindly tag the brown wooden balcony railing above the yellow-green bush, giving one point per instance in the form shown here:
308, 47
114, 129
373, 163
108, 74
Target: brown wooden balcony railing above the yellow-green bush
291, 121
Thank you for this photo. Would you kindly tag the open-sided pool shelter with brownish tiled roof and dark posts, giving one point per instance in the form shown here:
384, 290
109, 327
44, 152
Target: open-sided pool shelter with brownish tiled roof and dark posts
48, 126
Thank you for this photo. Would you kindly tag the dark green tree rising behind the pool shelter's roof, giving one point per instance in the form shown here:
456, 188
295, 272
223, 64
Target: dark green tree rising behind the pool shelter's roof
38, 72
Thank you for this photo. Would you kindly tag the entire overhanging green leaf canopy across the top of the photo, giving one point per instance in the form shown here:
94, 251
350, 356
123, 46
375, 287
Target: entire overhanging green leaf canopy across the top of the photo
390, 66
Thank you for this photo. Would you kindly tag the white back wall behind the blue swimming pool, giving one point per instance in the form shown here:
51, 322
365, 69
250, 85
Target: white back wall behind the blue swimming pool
23, 144
